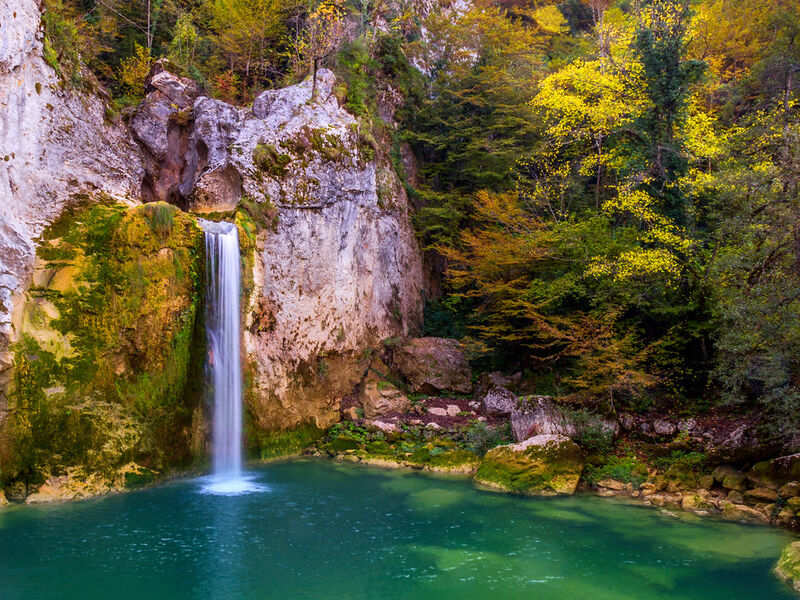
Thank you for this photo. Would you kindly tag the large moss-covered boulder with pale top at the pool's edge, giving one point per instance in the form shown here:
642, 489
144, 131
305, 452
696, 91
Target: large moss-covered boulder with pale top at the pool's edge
543, 465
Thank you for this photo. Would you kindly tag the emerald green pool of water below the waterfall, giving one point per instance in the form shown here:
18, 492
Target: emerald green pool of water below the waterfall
323, 530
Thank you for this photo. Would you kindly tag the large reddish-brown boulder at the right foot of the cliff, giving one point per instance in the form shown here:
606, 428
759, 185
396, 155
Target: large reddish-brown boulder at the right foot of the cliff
433, 365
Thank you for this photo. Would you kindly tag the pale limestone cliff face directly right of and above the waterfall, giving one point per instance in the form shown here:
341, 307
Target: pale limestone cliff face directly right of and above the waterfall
338, 271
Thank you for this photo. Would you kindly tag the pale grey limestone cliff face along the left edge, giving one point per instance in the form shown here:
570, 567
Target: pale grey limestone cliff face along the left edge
55, 146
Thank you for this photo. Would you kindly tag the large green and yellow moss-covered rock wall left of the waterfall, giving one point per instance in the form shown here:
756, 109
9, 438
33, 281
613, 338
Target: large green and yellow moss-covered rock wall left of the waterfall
108, 343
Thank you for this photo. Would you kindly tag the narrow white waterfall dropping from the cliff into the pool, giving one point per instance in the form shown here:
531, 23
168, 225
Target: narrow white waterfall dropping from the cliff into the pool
223, 288
